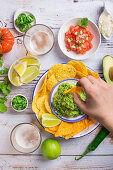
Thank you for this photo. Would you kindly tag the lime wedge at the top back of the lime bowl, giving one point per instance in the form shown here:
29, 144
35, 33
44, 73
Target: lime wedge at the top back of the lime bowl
30, 61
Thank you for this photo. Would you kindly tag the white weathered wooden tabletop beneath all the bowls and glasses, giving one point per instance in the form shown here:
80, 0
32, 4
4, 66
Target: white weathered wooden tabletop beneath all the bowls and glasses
52, 13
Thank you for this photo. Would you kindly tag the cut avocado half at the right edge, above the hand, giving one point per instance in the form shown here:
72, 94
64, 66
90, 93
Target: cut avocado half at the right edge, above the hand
108, 69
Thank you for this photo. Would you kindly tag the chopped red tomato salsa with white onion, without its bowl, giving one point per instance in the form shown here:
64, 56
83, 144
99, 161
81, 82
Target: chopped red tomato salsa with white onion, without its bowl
78, 39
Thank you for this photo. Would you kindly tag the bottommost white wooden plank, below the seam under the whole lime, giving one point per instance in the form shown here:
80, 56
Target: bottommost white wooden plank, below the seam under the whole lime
35, 162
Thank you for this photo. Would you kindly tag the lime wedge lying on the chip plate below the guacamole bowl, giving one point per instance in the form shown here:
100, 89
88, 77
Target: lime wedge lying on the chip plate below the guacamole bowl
50, 120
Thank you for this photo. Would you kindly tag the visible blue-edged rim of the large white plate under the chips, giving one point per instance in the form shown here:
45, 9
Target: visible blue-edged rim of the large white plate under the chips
84, 132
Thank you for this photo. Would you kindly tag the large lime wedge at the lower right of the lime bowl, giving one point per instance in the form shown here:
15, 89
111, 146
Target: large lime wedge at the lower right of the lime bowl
30, 74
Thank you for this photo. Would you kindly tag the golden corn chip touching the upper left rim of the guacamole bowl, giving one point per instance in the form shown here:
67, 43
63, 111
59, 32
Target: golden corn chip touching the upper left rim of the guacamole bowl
51, 82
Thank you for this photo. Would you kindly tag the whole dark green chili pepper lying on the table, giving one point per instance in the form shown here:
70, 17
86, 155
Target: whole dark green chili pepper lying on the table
94, 144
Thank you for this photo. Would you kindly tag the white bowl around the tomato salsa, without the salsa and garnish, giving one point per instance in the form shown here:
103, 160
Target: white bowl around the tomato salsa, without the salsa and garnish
72, 54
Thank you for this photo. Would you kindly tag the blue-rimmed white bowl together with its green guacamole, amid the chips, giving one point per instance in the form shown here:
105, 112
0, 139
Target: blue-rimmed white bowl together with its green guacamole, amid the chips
62, 104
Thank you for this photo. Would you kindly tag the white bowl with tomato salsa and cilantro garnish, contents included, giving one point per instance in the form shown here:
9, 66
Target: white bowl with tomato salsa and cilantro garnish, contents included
79, 38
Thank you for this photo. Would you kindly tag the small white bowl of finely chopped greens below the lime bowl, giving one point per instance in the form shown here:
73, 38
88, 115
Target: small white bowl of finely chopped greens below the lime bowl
19, 103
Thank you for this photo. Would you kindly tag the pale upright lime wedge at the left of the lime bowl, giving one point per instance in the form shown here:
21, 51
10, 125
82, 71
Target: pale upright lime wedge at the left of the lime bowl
20, 68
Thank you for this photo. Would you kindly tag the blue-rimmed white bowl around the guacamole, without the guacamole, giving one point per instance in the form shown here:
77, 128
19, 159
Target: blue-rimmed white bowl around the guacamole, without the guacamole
67, 119
